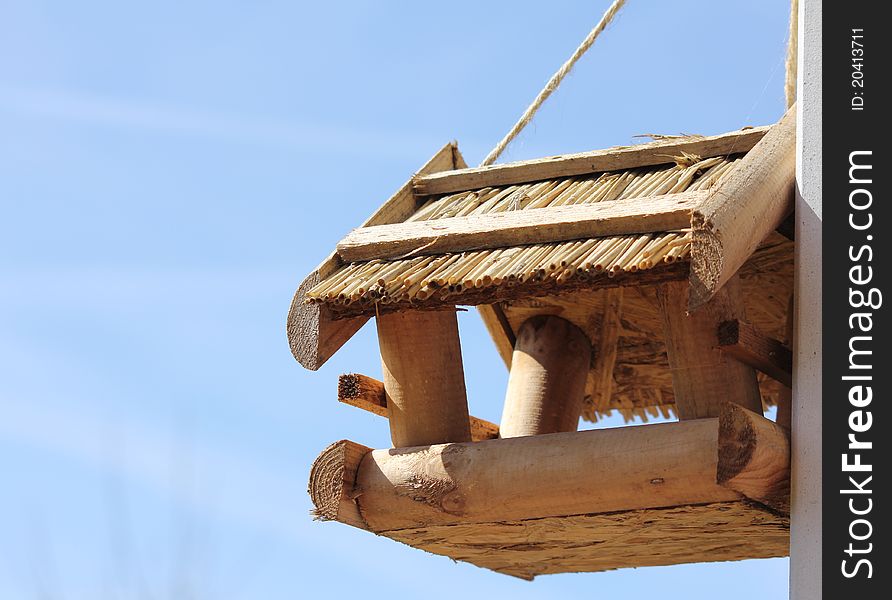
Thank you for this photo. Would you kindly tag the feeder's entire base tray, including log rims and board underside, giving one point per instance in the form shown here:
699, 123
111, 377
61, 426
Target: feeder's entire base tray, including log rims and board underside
585, 501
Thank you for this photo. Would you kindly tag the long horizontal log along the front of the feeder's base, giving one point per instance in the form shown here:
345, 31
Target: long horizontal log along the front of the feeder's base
561, 474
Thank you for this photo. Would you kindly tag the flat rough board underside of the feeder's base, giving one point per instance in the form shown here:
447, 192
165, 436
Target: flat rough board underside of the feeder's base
588, 543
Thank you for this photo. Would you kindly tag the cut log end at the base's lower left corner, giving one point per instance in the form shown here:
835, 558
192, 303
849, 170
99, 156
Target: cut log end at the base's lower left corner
332, 481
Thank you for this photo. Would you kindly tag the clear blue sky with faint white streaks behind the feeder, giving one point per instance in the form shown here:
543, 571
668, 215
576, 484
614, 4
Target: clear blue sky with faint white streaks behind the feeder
169, 171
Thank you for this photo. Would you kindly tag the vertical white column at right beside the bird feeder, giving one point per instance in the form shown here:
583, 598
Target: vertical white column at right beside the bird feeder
805, 542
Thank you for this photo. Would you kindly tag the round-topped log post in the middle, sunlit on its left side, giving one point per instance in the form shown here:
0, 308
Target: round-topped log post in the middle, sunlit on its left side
546, 386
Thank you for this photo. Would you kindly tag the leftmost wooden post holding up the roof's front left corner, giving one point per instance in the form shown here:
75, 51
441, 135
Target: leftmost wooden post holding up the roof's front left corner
423, 378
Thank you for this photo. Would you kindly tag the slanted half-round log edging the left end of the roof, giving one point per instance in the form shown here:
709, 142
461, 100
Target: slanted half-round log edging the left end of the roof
314, 335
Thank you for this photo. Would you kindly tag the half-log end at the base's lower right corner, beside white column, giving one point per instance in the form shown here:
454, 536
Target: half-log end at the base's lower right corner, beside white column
754, 457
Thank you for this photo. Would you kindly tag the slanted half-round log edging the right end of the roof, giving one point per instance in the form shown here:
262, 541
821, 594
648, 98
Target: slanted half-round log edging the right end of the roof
742, 210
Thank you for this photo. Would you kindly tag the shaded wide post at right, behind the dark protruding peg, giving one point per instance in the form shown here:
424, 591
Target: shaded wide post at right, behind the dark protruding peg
702, 376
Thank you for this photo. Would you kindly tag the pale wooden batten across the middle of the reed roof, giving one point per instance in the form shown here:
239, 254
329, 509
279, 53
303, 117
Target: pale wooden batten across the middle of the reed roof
515, 228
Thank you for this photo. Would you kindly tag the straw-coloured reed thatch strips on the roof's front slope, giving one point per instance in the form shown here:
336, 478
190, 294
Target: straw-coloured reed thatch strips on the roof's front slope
444, 277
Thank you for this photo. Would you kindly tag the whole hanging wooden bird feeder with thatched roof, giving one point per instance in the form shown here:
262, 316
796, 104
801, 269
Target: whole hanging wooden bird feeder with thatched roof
651, 279
